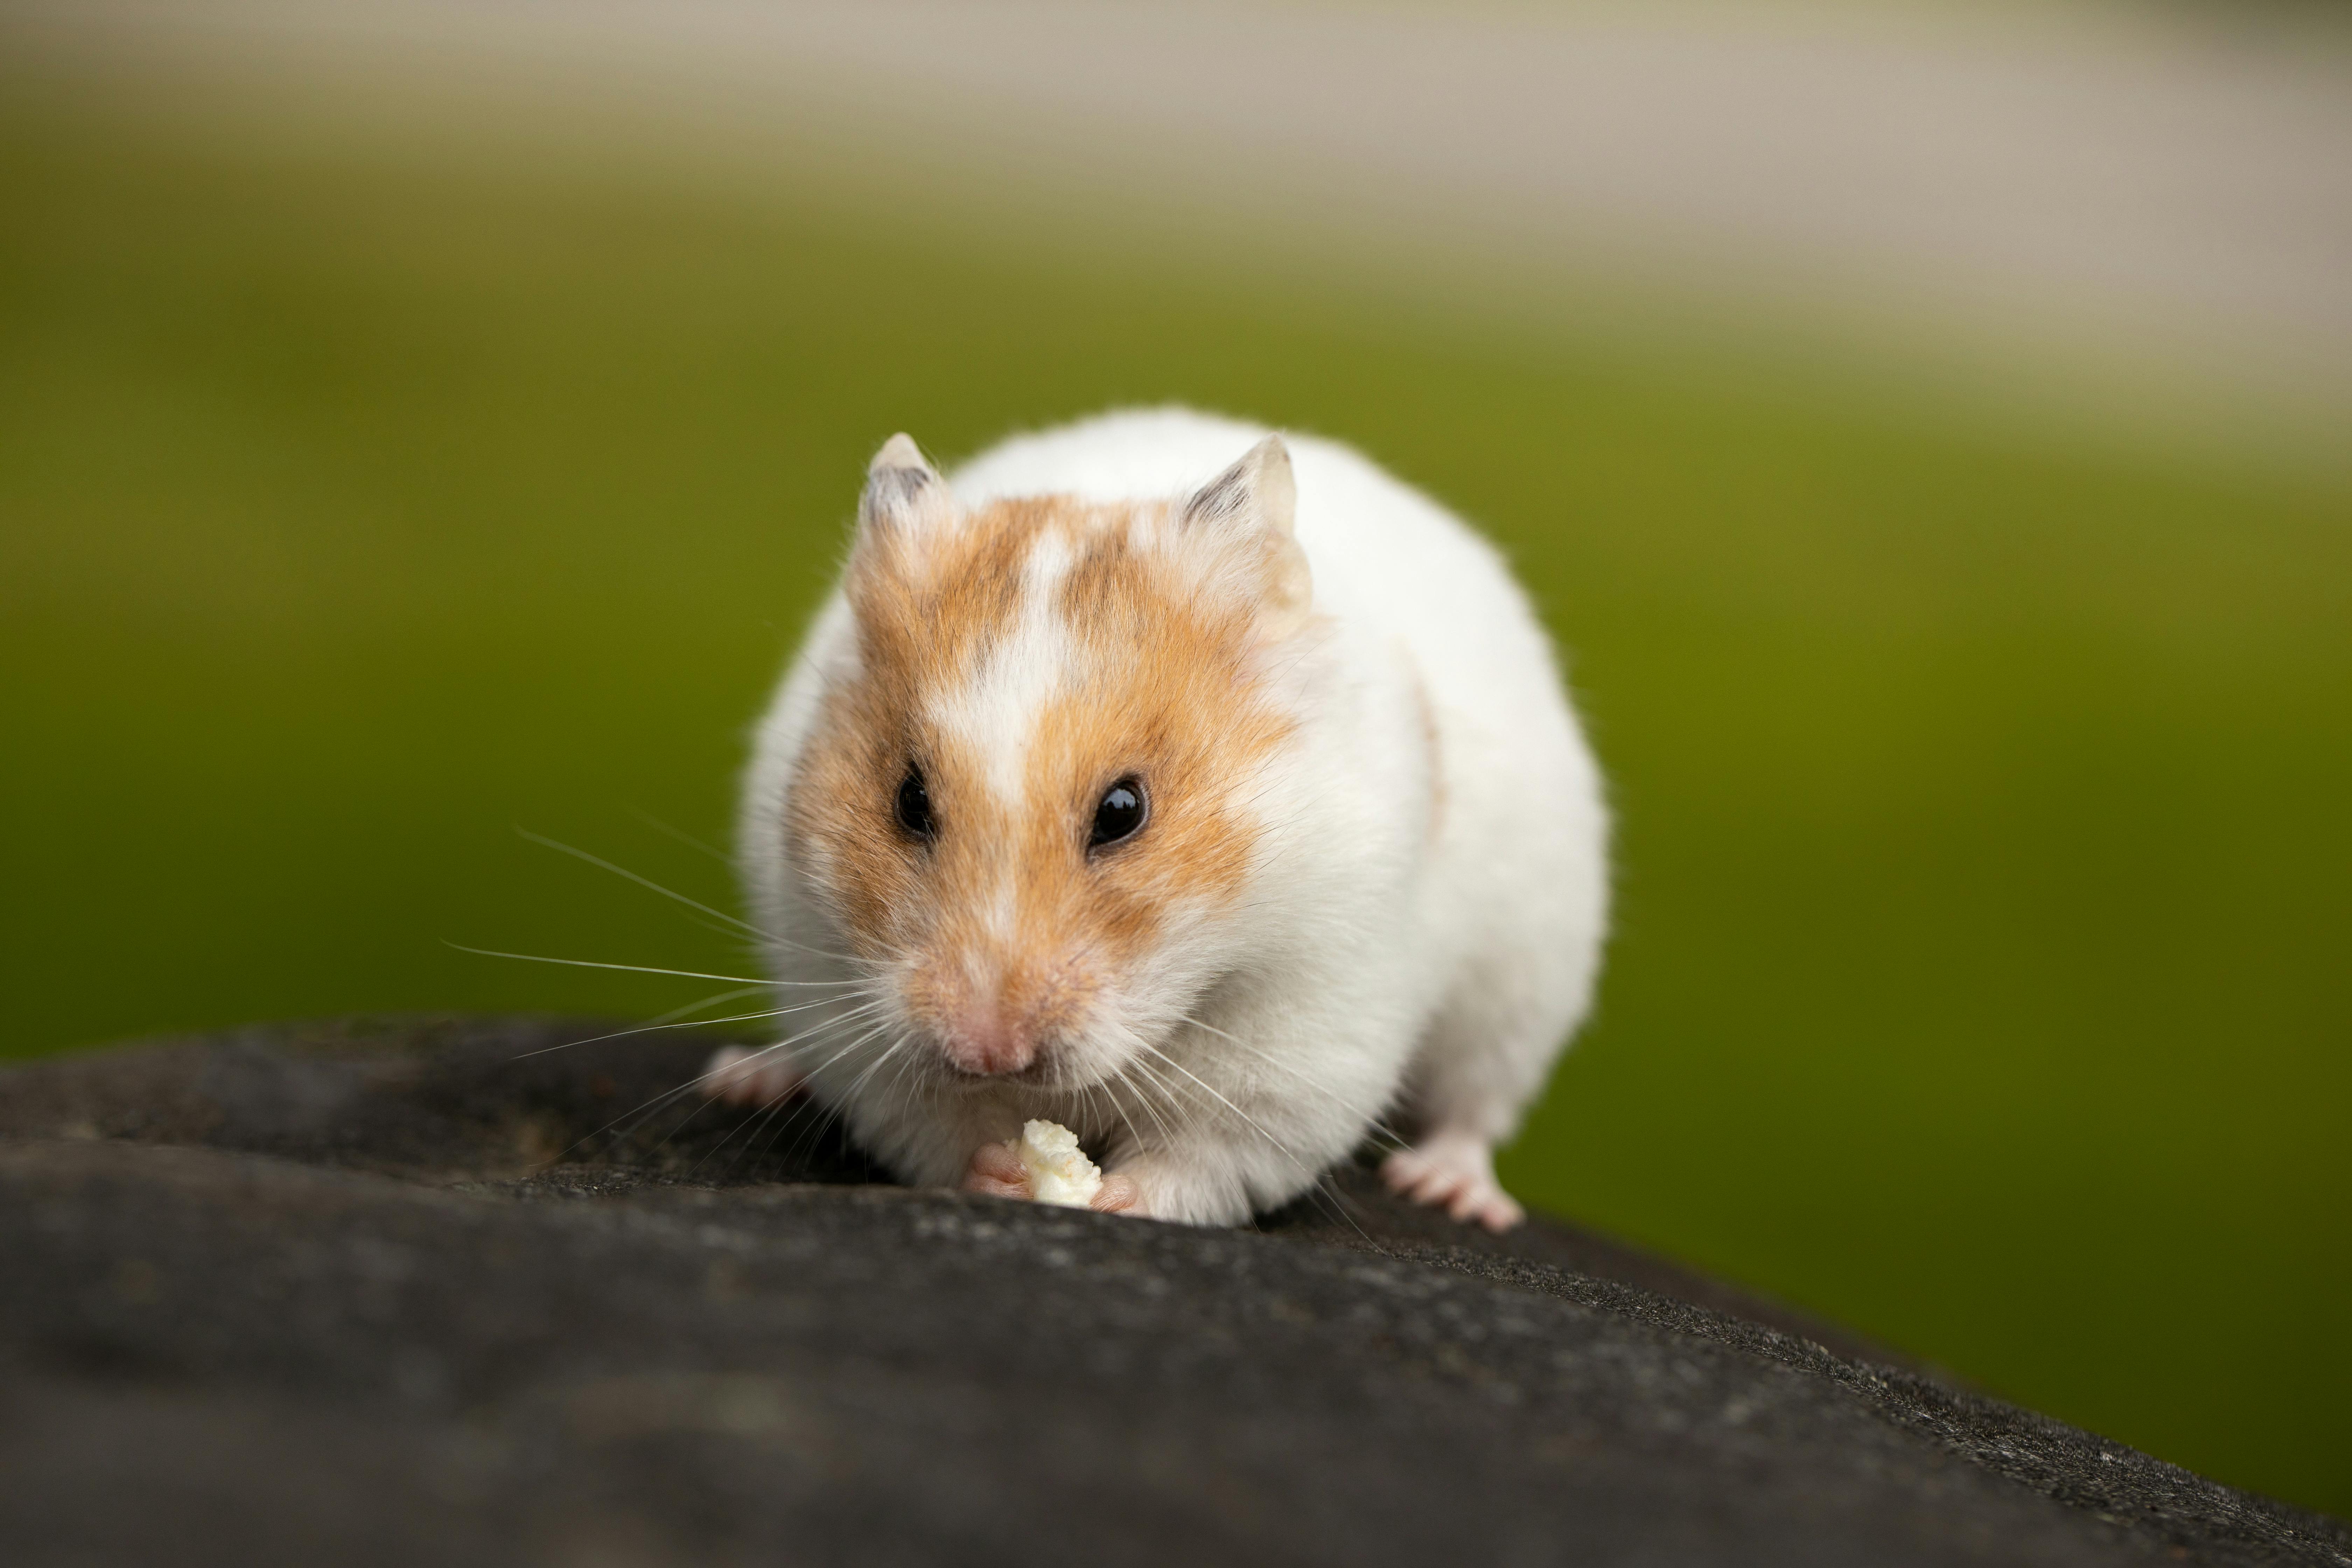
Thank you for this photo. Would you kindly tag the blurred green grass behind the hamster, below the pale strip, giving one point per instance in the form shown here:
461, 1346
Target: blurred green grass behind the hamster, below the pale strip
1986, 847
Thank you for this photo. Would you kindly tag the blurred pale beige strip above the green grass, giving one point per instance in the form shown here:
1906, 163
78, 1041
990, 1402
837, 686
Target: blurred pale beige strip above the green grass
2165, 185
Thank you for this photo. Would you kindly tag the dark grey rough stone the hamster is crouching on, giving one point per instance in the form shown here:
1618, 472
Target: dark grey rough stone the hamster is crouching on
439, 1292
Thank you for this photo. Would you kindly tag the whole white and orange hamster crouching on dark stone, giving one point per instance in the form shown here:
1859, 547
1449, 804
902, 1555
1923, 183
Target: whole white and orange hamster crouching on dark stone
1198, 789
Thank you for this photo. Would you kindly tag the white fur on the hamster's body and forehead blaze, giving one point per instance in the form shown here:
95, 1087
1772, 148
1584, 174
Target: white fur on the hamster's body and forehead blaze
1419, 932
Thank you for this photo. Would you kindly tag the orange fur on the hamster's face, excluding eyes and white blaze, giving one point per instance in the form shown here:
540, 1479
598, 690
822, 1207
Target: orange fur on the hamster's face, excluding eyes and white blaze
1161, 685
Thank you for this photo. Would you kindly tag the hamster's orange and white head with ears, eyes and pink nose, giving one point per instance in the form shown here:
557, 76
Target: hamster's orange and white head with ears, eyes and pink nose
1034, 798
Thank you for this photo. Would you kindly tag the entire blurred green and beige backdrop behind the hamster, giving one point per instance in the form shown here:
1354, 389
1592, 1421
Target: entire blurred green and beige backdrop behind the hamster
413, 429
